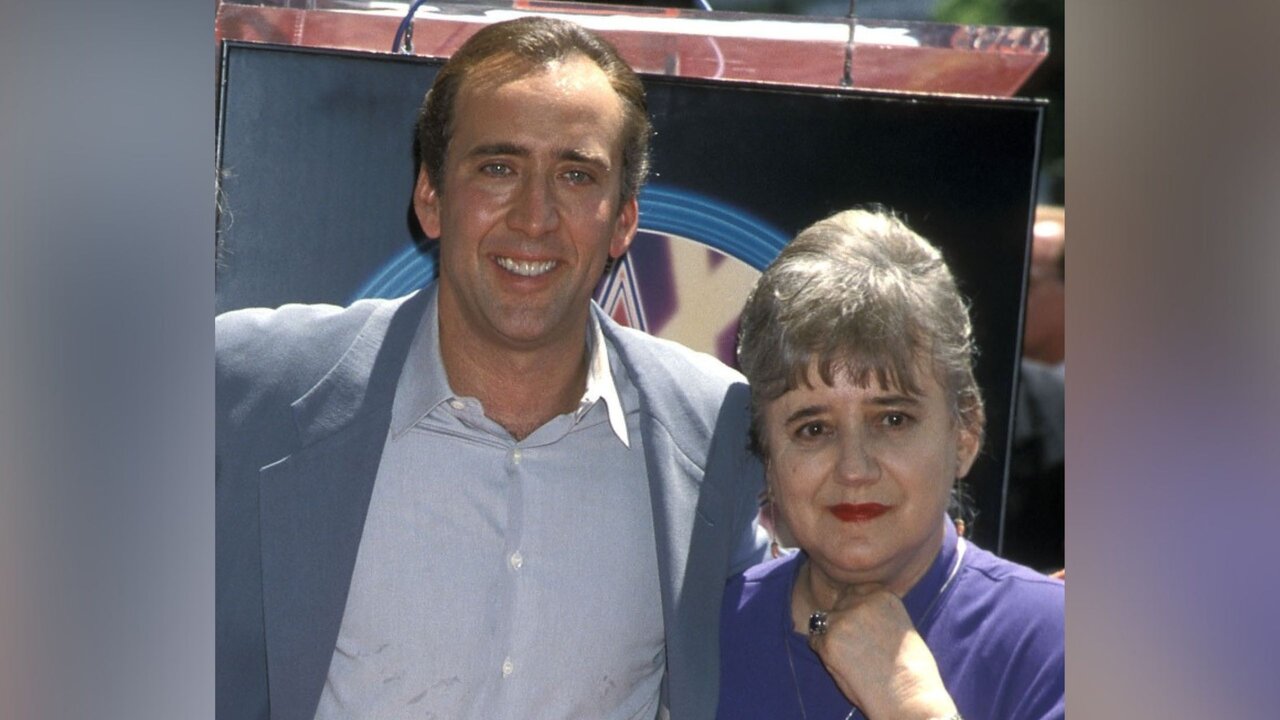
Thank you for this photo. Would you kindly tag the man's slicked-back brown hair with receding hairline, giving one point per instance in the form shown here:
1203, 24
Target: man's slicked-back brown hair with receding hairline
514, 49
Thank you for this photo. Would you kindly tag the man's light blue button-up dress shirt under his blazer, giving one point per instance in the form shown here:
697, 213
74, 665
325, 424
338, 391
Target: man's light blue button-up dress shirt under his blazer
504, 580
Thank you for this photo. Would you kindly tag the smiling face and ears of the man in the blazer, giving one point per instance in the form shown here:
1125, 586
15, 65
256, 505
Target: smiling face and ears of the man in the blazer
531, 206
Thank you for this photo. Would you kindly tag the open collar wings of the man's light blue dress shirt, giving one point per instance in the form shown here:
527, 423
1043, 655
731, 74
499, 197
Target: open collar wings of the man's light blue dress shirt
424, 385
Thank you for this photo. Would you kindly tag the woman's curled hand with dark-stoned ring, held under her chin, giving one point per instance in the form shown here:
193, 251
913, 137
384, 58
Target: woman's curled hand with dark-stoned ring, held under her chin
879, 660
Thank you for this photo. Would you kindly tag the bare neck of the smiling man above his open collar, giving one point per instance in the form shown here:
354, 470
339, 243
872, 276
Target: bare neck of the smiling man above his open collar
519, 389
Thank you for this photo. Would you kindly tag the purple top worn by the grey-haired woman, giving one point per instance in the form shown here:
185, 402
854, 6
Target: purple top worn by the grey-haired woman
995, 630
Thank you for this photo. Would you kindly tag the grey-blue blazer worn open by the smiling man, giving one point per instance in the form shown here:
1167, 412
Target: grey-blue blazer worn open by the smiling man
304, 398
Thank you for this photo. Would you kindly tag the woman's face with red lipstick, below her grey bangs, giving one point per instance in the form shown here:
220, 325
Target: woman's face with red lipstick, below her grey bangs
862, 477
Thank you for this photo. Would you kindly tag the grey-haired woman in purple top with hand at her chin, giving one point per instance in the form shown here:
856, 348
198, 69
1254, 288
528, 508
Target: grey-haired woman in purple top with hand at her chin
866, 412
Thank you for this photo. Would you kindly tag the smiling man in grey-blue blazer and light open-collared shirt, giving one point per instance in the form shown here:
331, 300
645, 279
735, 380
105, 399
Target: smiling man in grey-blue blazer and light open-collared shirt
486, 500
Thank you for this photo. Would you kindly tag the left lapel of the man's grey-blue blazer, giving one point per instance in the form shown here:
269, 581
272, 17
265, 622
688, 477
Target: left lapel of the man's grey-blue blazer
314, 505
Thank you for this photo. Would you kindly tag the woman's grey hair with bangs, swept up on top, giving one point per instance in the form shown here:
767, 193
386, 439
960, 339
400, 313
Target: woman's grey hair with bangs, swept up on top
862, 294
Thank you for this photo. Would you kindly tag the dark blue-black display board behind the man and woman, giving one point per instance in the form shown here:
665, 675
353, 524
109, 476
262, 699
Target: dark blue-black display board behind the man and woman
314, 154
